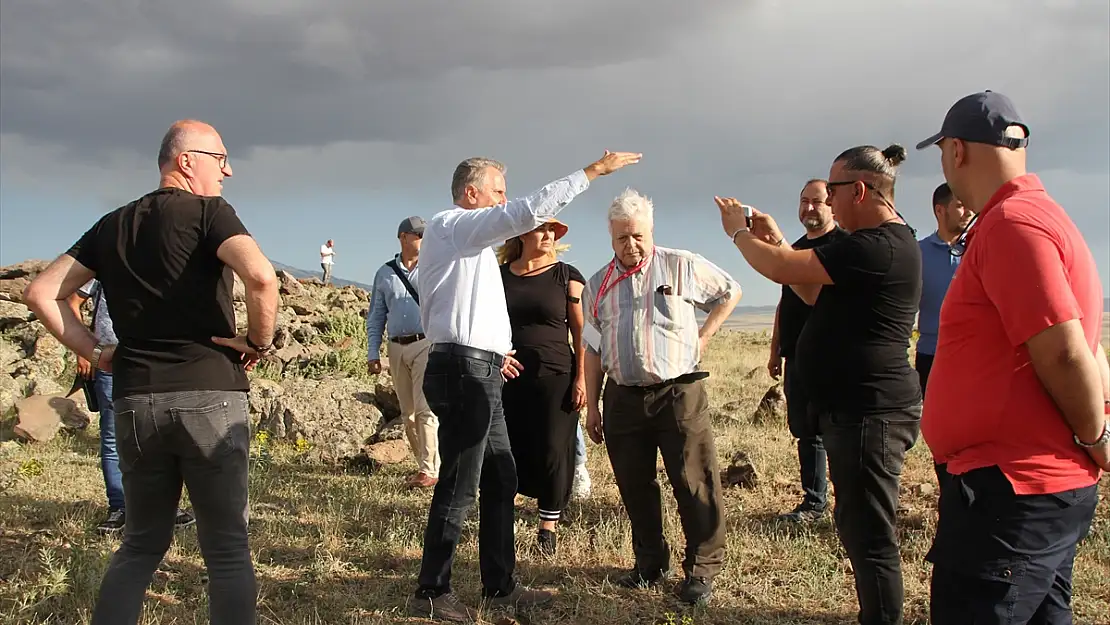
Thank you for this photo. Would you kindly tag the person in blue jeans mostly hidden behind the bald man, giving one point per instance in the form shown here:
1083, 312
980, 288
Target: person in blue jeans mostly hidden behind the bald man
103, 388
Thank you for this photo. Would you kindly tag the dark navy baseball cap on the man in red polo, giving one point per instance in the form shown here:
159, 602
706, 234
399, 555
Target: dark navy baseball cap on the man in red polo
982, 118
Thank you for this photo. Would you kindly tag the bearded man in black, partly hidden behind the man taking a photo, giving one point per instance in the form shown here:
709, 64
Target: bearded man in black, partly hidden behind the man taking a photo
816, 216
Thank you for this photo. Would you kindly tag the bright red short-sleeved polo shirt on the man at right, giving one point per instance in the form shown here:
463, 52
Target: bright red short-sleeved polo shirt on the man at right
1026, 269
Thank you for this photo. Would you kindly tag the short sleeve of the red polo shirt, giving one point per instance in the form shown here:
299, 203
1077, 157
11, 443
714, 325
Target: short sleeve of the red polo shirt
1024, 275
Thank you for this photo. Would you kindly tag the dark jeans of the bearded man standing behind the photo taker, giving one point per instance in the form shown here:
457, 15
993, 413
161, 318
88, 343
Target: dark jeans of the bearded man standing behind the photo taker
804, 427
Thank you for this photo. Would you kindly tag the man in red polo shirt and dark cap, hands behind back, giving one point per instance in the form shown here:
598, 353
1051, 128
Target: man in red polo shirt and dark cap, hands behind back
1020, 328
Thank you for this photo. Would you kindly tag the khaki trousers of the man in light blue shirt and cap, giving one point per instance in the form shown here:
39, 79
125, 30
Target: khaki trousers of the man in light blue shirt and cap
422, 427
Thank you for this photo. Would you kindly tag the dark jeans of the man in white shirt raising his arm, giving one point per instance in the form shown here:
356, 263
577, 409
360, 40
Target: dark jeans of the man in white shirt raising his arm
476, 457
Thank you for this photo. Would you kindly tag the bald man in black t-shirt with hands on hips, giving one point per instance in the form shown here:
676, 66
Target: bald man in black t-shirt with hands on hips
180, 386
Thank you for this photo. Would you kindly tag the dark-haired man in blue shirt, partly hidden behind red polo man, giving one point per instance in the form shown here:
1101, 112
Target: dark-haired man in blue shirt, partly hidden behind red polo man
939, 267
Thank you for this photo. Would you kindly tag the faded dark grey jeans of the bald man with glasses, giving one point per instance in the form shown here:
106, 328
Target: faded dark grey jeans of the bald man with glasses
200, 439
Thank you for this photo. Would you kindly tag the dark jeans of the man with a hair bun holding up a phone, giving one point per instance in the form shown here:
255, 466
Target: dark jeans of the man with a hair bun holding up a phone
866, 458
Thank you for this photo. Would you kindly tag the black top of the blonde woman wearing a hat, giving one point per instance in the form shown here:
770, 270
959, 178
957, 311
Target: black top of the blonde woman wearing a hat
538, 315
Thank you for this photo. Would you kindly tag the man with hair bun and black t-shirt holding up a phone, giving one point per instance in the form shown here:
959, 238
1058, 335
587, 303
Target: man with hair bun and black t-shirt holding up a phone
853, 356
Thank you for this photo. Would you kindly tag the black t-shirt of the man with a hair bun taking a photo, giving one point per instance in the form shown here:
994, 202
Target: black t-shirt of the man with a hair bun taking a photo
853, 352
